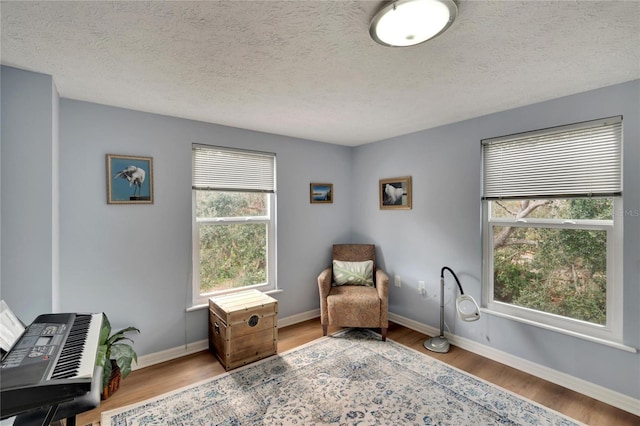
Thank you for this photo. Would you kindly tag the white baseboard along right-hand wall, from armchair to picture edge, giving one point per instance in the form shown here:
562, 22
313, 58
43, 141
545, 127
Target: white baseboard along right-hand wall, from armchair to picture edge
608, 396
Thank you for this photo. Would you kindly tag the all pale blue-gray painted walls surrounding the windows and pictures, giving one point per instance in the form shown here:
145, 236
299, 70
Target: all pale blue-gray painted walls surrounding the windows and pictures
133, 262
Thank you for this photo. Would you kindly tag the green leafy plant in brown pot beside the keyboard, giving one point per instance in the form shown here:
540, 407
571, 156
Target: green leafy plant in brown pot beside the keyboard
119, 353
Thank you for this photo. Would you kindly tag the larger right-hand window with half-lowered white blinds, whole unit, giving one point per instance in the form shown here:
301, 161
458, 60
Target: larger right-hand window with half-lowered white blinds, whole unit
552, 228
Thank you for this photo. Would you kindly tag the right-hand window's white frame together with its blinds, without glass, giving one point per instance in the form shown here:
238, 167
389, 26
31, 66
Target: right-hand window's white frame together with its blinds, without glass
579, 160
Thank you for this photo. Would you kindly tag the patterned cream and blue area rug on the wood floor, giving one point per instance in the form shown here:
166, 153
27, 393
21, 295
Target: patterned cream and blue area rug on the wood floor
349, 378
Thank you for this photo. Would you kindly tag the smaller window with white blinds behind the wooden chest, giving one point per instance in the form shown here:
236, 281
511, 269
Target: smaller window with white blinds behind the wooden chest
233, 221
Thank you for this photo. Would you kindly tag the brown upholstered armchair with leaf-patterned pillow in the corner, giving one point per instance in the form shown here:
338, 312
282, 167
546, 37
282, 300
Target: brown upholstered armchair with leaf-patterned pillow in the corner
353, 292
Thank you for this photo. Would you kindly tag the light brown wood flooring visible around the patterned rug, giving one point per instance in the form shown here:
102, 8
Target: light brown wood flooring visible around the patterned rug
152, 381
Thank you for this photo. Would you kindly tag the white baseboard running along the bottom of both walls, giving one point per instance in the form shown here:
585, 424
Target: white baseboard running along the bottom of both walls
584, 387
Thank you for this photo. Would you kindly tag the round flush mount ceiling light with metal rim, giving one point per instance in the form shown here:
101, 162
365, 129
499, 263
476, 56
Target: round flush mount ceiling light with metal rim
409, 22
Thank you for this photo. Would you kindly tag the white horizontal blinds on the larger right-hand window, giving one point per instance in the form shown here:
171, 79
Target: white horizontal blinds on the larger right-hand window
578, 160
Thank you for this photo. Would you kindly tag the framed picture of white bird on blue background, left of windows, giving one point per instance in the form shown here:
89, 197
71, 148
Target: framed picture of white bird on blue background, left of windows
129, 179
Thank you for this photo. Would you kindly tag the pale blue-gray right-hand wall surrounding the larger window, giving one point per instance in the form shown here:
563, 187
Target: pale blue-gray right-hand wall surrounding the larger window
443, 228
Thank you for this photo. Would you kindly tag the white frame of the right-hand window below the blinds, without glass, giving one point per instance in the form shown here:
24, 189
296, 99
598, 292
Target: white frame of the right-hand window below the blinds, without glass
612, 330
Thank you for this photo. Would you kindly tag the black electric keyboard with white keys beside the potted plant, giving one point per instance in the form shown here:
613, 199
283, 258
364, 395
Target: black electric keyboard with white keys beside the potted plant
52, 362
